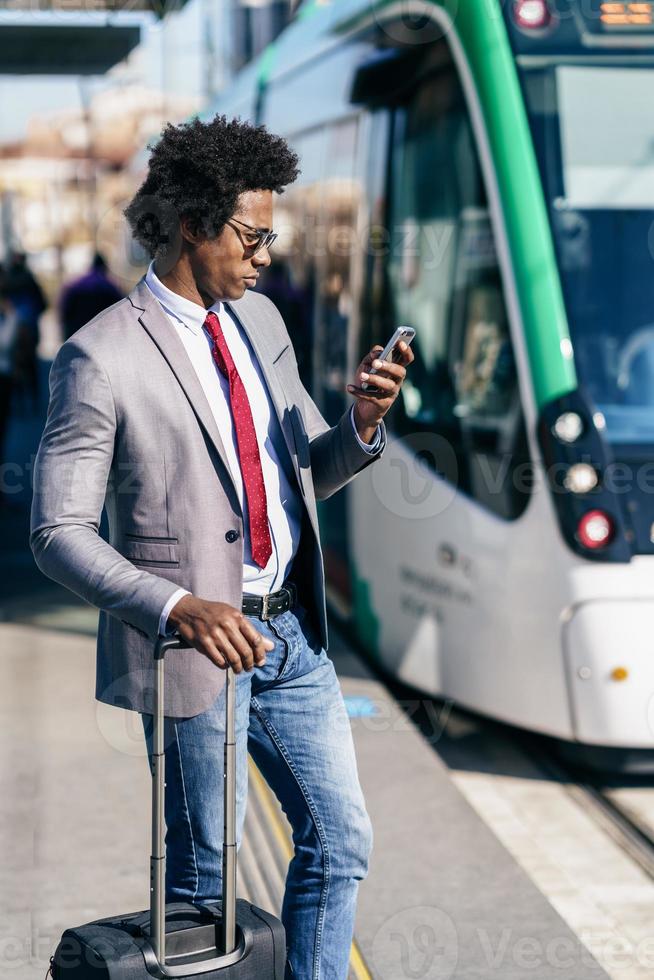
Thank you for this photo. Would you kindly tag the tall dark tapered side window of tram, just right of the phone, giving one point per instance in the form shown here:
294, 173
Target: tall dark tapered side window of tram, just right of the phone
443, 279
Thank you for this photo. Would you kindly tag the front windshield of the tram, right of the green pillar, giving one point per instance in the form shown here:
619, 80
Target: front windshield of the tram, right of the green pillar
593, 128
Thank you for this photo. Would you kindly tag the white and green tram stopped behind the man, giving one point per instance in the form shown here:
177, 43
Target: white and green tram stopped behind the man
484, 172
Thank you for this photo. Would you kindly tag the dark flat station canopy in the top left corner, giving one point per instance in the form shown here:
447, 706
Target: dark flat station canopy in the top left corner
72, 37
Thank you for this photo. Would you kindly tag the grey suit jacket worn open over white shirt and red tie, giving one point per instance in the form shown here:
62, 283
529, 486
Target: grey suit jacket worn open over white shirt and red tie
130, 427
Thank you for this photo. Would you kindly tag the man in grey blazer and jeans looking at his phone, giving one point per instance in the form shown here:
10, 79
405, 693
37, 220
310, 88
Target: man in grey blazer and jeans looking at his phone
183, 404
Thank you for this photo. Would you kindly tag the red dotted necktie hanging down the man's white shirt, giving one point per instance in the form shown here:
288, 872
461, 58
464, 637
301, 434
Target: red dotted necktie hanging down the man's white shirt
248, 448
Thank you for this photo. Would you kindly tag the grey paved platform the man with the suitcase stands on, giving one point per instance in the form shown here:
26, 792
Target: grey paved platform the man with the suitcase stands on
444, 897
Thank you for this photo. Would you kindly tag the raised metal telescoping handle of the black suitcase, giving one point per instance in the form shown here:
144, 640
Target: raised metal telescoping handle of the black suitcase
158, 857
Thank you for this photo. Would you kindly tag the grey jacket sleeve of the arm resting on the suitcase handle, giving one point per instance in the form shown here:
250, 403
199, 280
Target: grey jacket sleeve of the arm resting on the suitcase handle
71, 473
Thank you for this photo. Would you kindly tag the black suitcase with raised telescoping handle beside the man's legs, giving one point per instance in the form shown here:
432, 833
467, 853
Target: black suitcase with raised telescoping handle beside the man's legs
228, 940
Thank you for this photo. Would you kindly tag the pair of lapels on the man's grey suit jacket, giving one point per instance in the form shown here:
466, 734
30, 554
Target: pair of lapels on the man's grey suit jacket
265, 344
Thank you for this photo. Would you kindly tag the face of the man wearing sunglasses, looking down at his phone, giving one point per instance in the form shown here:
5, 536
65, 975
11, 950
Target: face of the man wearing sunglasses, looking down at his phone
222, 265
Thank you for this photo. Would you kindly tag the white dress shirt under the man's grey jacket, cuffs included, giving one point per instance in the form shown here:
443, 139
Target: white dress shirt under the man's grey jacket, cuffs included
284, 501
